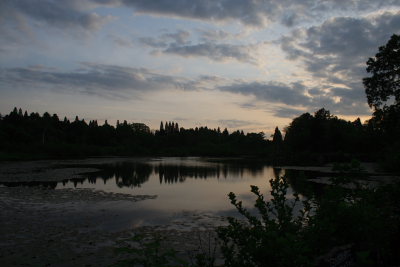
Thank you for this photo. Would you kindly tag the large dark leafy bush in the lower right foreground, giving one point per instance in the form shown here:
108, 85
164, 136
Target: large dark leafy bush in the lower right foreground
364, 220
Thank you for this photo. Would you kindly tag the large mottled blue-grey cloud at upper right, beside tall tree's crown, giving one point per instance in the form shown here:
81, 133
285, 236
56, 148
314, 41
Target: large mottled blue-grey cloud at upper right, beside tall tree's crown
338, 49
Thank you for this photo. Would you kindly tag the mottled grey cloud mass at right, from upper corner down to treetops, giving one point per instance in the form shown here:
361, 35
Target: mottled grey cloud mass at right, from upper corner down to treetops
335, 52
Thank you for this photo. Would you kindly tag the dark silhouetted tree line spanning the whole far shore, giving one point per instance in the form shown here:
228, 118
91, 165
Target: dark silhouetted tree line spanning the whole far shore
309, 138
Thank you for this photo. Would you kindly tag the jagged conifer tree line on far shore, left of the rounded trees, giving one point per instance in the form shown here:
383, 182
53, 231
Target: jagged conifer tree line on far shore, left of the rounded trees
36, 136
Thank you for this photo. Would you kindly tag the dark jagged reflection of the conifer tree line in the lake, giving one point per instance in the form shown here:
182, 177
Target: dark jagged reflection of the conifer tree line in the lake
133, 174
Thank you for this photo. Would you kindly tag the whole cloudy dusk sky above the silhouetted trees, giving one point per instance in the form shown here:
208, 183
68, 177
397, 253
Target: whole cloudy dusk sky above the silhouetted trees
249, 65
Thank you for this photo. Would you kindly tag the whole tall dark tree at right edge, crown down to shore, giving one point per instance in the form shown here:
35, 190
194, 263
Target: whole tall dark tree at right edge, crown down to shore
383, 94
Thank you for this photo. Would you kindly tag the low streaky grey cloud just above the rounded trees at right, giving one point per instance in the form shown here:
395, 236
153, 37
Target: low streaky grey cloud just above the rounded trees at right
298, 97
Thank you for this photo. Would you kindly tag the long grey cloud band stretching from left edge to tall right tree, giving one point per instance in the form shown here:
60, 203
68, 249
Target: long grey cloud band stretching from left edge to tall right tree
115, 82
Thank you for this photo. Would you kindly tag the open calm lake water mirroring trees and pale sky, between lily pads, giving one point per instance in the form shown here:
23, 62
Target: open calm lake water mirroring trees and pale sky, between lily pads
189, 190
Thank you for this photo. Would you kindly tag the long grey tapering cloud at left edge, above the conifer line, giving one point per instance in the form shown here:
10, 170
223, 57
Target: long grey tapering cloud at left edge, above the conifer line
95, 79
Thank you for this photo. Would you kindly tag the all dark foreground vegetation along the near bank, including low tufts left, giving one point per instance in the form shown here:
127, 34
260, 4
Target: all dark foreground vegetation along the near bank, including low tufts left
357, 226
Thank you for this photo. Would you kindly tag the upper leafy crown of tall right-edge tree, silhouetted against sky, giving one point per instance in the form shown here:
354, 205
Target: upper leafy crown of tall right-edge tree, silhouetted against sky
385, 80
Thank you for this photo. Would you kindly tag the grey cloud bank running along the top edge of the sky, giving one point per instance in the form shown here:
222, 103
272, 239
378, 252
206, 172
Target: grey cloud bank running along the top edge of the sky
254, 13
